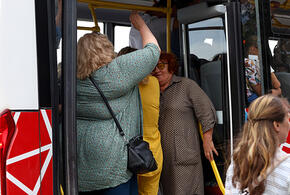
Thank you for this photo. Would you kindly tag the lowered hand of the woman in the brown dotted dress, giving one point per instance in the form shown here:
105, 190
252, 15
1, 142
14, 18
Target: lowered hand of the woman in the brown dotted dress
208, 145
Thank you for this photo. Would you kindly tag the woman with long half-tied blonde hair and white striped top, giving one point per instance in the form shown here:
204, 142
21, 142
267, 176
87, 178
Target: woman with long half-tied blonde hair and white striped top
259, 166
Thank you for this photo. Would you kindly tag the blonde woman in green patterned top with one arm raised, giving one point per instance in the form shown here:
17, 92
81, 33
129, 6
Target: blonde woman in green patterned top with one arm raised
102, 153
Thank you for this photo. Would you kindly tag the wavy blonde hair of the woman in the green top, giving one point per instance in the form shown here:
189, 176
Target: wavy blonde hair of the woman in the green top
94, 51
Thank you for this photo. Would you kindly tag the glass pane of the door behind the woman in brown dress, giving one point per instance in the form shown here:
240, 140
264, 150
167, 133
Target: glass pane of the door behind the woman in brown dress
207, 47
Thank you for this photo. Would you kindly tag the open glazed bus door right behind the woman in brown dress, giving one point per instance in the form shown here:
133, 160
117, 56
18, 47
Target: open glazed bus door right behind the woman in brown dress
211, 45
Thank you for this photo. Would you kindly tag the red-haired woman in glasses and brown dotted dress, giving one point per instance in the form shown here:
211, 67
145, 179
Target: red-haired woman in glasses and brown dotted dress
182, 105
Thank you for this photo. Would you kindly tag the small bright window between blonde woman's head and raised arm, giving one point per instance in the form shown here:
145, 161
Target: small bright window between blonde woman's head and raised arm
121, 37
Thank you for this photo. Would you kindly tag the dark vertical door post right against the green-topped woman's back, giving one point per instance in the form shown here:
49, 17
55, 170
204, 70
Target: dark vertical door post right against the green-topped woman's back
69, 106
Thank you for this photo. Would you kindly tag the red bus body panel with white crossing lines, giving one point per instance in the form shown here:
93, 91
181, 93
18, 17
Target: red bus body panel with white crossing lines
29, 163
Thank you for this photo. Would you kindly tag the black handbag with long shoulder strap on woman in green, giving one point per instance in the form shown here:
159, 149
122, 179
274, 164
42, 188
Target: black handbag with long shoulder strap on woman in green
140, 157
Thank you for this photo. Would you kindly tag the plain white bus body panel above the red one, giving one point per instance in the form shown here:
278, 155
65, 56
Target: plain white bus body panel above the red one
18, 61
